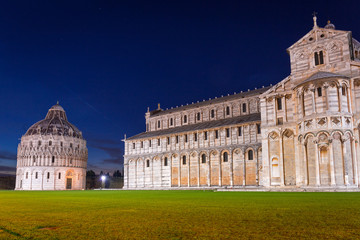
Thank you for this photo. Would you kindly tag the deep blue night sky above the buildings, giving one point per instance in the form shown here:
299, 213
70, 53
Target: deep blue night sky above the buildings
107, 61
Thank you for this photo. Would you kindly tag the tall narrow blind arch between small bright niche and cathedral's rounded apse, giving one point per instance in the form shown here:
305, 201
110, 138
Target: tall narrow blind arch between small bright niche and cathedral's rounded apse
288, 148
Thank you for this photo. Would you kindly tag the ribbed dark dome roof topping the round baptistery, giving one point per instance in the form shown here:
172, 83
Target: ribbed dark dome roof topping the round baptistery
55, 123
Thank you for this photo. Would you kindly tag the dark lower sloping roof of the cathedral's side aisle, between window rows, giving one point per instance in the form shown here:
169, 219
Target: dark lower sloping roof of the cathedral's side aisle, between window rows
255, 117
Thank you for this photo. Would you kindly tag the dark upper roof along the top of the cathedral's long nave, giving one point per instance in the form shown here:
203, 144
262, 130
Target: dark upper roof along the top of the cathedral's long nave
212, 101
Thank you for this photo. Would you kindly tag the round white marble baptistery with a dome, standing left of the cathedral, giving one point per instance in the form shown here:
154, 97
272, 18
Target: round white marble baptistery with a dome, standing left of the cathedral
52, 155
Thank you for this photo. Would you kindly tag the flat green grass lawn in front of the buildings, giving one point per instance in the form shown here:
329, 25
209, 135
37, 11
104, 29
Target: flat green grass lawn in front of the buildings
178, 215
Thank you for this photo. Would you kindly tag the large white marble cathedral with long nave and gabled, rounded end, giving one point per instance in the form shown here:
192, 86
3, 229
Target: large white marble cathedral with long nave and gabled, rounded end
302, 132
